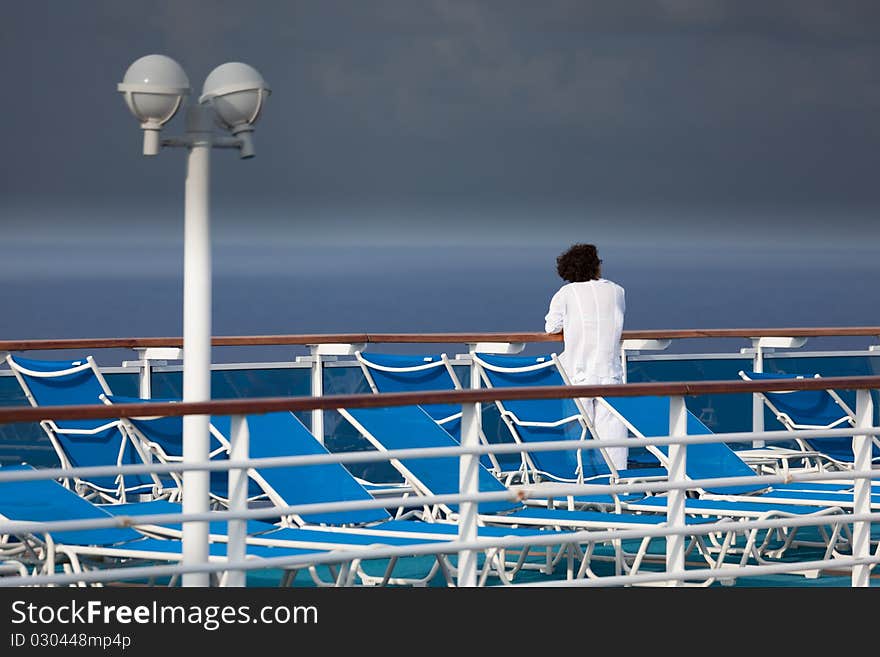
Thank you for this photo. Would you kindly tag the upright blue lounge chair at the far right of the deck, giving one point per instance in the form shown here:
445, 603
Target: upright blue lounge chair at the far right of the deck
813, 409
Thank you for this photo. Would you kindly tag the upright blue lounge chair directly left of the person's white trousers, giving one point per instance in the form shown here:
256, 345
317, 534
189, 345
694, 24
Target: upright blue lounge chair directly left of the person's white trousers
540, 420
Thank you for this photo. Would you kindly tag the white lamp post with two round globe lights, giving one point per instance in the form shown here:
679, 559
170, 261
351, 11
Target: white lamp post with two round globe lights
233, 94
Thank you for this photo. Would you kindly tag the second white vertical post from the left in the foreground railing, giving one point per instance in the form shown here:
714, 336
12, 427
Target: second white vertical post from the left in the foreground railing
468, 485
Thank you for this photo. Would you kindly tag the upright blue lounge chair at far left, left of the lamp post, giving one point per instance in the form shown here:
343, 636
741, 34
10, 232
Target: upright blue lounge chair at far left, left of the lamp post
80, 443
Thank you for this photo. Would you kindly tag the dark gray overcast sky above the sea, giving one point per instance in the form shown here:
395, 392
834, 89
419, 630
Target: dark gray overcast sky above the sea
442, 120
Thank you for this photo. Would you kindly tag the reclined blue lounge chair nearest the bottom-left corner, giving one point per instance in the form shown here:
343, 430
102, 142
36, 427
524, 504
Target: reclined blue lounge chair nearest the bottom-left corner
76, 550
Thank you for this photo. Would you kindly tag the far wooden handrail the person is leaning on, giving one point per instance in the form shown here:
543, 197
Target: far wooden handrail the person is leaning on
427, 338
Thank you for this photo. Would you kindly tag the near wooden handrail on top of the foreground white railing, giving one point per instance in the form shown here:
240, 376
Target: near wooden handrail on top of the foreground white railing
273, 404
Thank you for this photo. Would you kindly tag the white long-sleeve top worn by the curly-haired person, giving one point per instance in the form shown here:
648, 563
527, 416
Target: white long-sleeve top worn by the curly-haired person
590, 314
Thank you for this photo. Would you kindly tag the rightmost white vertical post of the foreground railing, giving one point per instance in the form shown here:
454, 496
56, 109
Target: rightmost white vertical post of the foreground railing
862, 450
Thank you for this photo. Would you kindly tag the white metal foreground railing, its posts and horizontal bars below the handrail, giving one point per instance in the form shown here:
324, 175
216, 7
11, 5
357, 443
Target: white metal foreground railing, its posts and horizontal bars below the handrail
467, 543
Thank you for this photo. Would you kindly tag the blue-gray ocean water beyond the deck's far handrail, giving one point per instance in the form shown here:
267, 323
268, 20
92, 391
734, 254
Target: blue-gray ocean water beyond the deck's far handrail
123, 291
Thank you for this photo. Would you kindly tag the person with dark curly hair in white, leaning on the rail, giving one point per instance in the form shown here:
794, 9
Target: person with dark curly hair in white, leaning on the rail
589, 311
